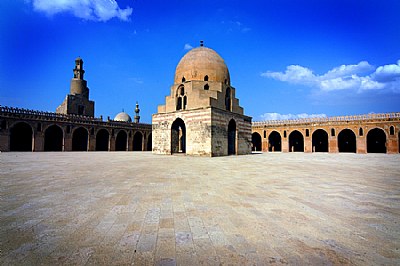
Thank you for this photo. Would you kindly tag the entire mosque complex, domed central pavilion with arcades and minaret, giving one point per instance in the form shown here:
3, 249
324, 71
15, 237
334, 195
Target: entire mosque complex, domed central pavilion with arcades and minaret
201, 116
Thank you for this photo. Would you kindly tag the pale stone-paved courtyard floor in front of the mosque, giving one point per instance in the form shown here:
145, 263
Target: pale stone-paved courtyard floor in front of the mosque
137, 208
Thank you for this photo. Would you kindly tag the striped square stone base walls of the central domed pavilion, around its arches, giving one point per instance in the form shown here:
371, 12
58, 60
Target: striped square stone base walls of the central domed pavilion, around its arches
206, 132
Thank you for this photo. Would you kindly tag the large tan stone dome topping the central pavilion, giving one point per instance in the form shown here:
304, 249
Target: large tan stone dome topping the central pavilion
202, 64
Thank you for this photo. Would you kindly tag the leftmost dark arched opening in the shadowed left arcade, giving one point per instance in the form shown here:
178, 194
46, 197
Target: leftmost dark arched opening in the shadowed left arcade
21, 137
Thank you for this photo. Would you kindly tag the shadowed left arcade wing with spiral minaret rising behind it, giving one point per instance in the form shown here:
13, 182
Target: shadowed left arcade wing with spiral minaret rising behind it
73, 126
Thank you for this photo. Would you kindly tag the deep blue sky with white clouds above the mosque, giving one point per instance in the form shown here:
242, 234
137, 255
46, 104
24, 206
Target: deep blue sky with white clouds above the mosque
287, 59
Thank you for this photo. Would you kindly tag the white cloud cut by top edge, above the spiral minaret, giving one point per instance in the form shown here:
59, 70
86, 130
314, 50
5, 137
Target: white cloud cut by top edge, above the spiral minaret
99, 10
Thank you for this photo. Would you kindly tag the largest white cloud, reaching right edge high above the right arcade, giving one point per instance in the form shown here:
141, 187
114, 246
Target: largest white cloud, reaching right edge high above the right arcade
345, 77
